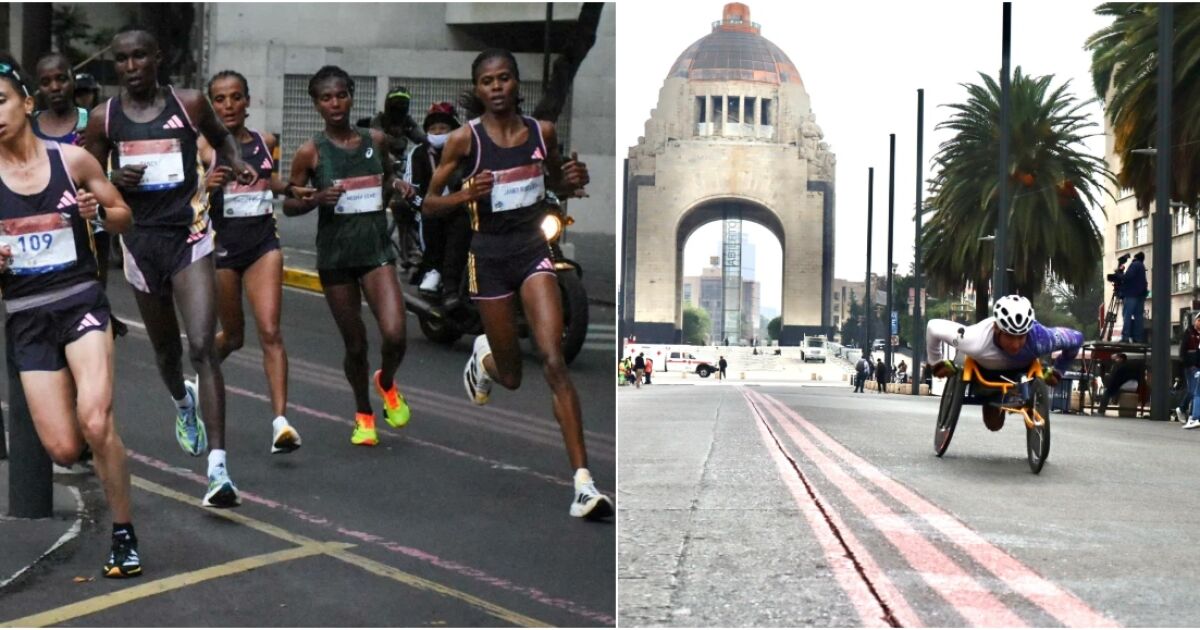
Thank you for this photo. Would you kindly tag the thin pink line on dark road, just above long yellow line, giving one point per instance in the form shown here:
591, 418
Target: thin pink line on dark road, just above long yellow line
433, 560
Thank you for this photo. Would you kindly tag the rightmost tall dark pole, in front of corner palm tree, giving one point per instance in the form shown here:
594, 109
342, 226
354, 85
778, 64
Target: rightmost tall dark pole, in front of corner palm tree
1161, 283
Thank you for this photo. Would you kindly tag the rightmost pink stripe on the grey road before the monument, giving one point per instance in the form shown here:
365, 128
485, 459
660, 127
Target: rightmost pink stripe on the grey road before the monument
1057, 602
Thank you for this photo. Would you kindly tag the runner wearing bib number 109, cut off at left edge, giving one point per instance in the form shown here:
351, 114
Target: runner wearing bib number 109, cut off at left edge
58, 316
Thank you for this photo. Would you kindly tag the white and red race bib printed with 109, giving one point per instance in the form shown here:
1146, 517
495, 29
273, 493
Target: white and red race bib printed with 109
40, 244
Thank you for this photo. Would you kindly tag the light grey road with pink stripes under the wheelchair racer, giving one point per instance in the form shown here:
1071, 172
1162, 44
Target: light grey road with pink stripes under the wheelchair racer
813, 506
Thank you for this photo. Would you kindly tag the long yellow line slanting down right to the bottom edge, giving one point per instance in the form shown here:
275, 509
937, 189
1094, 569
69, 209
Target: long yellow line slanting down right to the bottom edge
352, 559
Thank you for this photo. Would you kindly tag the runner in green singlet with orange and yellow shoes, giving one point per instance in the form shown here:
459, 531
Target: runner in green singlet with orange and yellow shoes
355, 257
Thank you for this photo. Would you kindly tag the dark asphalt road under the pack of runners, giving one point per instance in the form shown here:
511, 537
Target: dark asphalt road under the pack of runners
459, 519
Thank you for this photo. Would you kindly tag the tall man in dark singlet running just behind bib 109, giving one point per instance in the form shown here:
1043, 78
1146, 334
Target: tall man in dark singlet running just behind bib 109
149, 134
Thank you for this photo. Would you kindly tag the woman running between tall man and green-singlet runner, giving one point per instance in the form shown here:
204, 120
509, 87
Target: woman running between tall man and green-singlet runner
248, 247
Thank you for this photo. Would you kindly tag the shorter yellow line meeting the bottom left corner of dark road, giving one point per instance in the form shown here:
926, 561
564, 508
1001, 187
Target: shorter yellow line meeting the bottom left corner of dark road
100, 603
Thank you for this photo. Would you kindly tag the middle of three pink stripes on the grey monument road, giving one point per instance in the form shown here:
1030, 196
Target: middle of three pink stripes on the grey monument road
973, 601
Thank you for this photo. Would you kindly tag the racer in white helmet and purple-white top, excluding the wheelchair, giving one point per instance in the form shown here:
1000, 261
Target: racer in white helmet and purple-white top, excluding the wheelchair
1009, 340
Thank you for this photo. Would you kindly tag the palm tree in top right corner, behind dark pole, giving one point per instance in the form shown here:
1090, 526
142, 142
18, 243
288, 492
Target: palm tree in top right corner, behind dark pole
1125, 73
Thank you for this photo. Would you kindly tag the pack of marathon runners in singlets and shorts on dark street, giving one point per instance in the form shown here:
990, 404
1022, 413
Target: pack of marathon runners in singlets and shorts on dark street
190, 189
